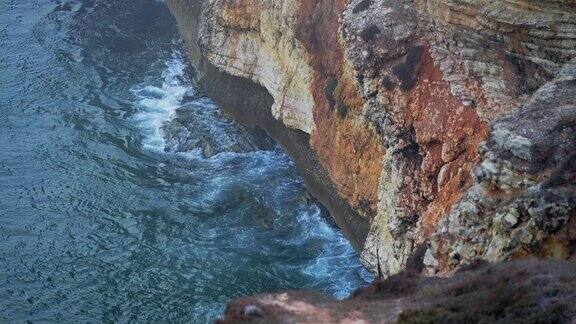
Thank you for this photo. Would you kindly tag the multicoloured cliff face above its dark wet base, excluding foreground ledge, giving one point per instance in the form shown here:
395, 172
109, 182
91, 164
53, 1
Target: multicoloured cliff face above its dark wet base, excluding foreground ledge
447, 126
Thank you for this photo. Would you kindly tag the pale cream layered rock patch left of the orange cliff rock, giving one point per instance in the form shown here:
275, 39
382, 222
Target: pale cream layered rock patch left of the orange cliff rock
255, 39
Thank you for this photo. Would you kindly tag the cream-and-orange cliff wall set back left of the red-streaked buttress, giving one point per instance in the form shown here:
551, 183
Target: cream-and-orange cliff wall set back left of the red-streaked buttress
292, 49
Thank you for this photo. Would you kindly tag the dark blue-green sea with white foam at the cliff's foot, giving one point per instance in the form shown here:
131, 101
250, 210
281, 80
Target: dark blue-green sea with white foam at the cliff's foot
125, 196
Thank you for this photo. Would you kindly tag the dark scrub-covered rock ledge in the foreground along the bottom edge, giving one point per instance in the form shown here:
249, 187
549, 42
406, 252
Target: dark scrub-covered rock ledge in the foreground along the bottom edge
521, 292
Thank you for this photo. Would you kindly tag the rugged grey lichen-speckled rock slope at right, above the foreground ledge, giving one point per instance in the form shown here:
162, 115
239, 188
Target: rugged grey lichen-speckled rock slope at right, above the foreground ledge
523, 199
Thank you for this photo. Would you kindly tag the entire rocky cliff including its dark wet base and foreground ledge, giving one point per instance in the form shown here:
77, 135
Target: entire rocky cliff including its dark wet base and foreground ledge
440, 134
